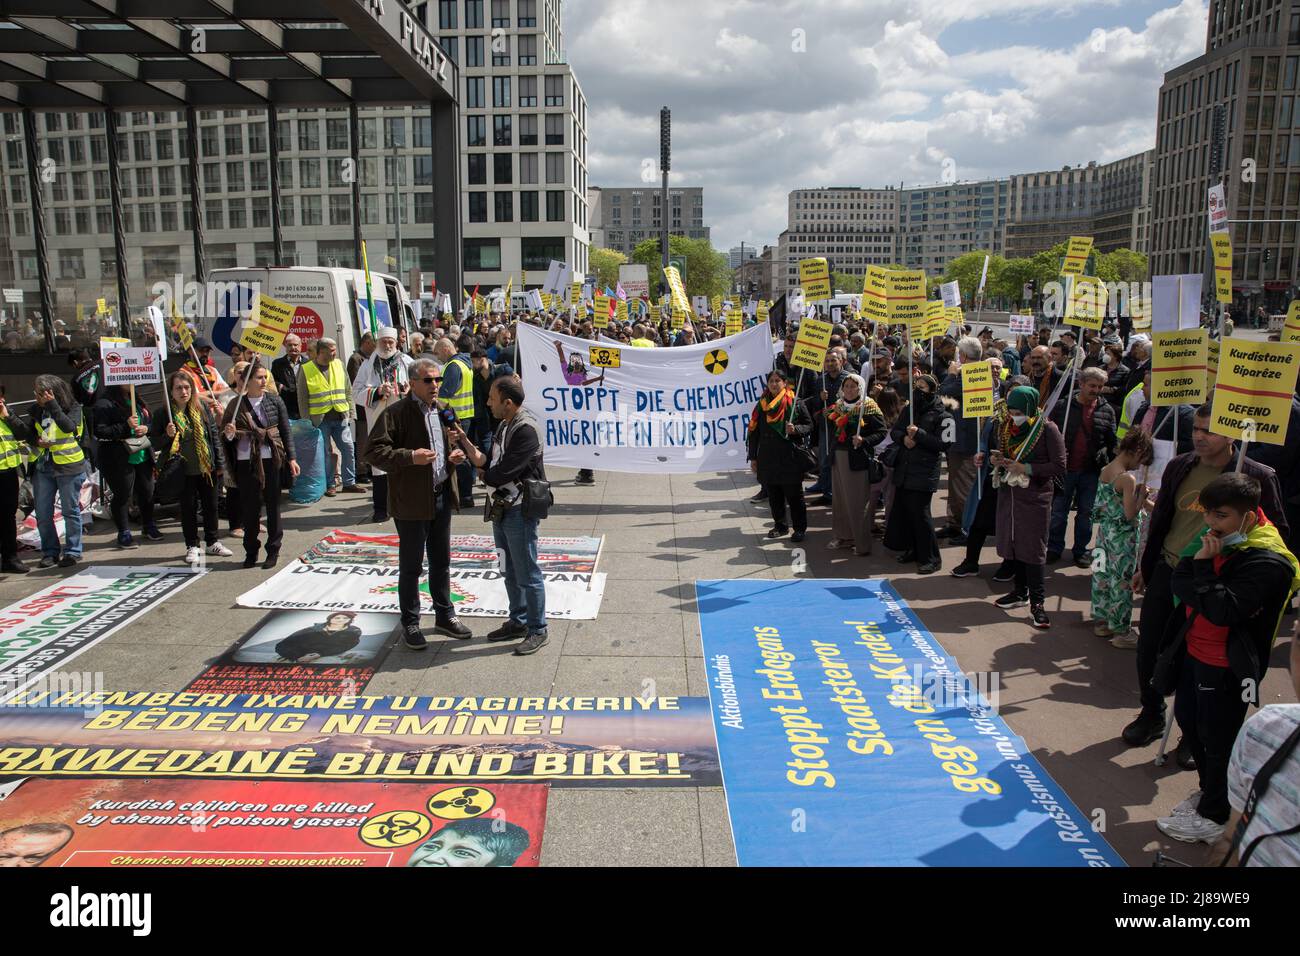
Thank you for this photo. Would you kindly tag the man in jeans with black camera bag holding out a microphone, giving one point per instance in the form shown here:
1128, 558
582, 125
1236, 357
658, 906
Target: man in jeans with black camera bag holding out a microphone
521, 498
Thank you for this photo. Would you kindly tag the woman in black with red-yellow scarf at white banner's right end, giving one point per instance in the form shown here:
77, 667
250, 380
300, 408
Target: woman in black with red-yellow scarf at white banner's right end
778, 427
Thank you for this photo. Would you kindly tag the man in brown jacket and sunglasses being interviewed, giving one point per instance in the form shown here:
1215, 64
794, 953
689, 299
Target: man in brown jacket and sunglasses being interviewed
410, 443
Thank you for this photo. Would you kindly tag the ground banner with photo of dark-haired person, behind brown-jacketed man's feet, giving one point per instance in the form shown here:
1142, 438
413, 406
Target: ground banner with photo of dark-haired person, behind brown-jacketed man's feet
302, 652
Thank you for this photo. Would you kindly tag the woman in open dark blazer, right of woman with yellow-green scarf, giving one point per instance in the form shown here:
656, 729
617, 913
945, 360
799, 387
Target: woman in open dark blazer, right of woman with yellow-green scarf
261, 447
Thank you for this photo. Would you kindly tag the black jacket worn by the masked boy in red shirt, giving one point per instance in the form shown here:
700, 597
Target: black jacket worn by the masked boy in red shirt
1246, 596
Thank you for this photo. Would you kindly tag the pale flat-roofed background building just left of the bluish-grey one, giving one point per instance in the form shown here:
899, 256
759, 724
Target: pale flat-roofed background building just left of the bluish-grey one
848, 226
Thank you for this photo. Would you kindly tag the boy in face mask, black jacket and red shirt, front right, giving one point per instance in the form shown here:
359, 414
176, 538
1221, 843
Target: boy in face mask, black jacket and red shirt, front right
1233, 585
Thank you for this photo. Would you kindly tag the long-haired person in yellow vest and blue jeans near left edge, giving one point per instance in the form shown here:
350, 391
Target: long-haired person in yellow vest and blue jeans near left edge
57, 426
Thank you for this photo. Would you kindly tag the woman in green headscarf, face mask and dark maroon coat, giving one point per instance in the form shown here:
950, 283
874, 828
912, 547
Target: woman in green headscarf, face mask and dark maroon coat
1028, 456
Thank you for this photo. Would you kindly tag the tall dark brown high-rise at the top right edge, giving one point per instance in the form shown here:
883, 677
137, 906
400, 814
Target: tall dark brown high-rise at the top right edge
1233, 113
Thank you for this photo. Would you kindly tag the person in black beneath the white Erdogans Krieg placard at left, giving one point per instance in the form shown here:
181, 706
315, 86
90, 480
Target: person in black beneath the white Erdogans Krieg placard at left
127, 460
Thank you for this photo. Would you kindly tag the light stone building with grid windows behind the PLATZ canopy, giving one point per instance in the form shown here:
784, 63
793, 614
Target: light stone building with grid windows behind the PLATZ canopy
523, 179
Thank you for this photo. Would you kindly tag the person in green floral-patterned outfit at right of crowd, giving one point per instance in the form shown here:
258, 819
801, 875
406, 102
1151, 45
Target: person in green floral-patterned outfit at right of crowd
1117, 516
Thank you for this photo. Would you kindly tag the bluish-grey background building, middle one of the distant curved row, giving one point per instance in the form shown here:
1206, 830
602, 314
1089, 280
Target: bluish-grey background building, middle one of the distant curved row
938, 224
